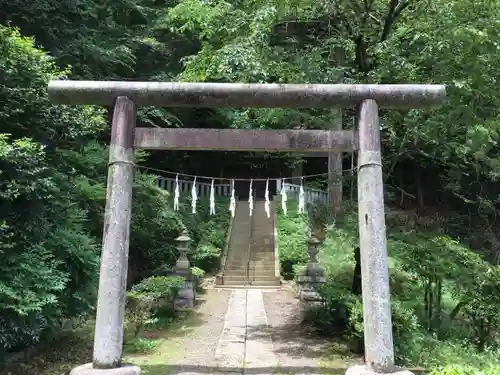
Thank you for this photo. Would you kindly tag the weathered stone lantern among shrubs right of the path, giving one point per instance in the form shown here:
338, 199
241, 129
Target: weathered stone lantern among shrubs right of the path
313, 276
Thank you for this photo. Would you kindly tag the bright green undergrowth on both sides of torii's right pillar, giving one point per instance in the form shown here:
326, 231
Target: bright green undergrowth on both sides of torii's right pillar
444, 304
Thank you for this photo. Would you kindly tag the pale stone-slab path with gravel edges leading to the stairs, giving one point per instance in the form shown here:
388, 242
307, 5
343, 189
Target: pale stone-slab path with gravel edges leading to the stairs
243, 331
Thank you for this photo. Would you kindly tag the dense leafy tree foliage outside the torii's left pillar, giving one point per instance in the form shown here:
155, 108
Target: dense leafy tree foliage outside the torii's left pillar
50, 261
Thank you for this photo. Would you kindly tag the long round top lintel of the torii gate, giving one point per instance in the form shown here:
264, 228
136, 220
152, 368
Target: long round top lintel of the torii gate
238, 95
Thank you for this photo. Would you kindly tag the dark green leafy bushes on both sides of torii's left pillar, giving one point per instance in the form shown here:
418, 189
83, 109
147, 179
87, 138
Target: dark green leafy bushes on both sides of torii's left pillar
52, 197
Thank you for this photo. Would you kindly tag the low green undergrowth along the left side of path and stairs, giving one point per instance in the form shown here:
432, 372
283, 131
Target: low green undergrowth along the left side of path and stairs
150, 310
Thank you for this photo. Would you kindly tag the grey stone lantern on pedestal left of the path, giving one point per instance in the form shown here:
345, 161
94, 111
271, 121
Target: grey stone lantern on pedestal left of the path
186, 296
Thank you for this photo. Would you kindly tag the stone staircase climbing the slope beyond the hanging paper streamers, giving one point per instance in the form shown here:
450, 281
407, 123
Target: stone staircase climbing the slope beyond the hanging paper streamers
250, 260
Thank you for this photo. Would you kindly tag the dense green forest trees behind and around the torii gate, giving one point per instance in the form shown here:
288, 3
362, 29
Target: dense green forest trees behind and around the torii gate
441, 166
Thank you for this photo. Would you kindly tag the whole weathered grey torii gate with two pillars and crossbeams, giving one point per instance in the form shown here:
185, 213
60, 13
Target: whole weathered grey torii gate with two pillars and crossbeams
125, 96
